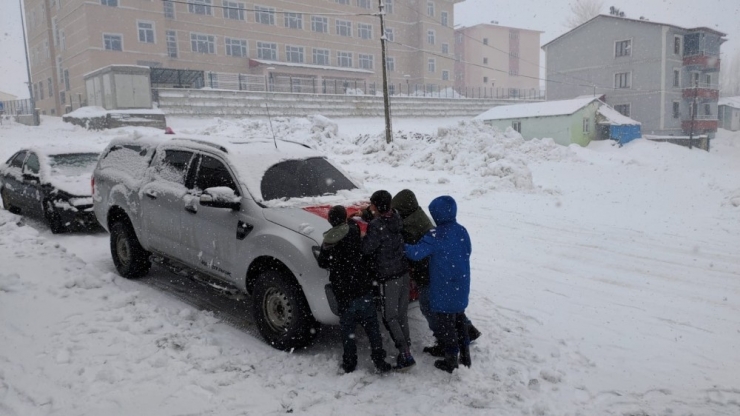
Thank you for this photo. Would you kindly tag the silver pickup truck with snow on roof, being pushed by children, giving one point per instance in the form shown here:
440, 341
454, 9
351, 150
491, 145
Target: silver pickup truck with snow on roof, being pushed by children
248, 214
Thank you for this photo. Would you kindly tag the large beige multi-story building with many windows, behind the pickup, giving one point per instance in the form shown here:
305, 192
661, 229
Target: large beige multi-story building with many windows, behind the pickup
312, 41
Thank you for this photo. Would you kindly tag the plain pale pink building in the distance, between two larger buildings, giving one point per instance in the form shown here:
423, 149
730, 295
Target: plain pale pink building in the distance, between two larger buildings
491, 57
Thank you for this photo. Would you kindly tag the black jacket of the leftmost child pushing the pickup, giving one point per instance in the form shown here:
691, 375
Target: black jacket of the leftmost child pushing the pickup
340, 254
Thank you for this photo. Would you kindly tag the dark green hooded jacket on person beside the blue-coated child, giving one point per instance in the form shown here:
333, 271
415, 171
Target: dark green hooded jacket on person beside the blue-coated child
416, 224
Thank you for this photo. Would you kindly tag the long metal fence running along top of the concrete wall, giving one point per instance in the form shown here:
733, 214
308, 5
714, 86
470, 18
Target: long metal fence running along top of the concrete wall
349, 86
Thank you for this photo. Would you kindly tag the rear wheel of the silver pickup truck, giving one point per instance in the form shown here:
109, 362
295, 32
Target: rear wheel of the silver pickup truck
130, 259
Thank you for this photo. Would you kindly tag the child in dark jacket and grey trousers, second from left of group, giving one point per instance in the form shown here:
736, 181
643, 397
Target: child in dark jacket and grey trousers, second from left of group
384, 243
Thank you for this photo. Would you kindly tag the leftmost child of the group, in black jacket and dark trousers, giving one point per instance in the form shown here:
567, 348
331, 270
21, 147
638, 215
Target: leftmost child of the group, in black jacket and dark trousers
341, 255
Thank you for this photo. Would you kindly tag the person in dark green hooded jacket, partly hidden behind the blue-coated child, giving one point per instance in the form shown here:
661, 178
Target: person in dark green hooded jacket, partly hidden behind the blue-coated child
416, 223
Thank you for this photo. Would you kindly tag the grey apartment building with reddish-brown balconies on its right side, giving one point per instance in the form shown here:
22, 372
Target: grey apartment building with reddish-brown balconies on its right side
662, 75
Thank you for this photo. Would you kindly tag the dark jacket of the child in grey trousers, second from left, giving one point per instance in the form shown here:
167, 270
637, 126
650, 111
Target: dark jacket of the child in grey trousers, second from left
384, 242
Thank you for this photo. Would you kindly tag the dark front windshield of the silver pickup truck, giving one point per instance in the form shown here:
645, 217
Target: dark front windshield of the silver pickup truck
303, 178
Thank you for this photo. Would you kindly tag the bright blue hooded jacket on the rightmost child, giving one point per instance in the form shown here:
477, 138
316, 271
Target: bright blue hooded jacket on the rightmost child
448, 247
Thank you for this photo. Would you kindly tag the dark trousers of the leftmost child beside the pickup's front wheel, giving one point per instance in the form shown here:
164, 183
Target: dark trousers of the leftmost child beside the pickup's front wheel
360, 311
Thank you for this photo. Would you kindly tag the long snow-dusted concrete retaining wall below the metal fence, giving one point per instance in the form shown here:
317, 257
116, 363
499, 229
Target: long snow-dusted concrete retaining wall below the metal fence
221, 103
